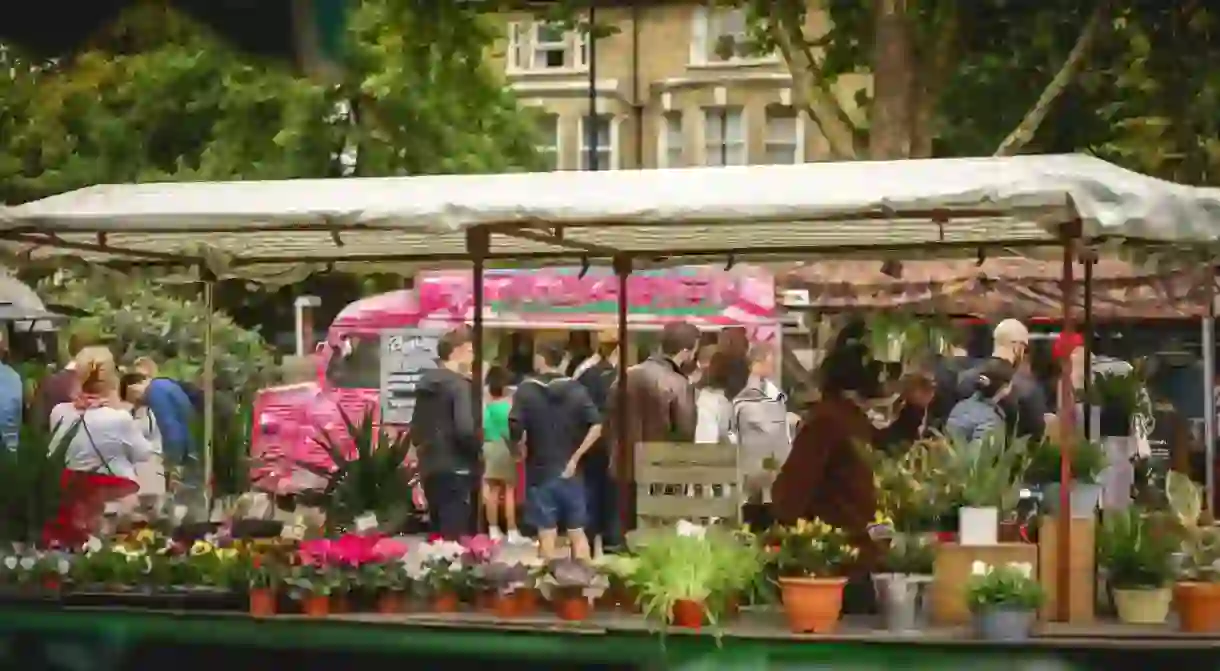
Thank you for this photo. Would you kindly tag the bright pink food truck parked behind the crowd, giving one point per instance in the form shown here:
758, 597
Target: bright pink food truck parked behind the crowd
522, 308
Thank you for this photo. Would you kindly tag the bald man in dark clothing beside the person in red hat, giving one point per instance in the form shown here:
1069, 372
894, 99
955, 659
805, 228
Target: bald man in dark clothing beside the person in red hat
1027, 407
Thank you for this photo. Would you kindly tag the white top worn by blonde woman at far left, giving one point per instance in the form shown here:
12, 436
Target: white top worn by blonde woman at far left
109, 443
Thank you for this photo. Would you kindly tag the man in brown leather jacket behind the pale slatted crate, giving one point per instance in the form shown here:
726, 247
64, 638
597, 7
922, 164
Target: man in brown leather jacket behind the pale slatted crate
661, 402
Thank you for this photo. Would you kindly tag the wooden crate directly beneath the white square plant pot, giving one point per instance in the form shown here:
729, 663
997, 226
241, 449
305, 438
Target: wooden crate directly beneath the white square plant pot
953, 569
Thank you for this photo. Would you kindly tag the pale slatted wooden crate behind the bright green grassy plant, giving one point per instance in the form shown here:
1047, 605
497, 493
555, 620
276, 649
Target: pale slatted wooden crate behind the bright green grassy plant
687, 481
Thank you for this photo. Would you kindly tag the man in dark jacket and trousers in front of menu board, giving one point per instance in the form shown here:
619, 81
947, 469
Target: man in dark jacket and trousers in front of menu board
447, 442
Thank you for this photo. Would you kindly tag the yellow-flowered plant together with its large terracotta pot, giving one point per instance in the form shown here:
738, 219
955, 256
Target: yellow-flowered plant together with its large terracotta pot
811, 559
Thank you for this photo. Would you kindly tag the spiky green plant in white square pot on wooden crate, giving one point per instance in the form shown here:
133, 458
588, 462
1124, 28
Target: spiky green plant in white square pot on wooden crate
985, 479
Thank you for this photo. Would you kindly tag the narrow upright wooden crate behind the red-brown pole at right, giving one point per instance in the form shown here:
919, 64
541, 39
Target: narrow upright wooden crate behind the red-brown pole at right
1083, 567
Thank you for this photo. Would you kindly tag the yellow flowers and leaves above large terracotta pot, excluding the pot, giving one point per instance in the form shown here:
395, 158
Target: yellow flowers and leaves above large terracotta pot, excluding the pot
811, 548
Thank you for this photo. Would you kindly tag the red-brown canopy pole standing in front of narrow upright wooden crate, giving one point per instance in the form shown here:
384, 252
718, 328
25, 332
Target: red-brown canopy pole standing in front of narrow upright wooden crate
1067, 432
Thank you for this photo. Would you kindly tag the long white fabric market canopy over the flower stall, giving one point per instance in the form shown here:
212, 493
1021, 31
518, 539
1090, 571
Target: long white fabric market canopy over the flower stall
252, 229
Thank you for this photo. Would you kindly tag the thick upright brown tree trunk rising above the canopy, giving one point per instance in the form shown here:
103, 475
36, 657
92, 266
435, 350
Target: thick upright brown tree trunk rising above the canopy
894, 82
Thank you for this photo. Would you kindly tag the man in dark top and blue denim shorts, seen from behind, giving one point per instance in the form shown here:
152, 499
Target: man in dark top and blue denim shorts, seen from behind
559, 423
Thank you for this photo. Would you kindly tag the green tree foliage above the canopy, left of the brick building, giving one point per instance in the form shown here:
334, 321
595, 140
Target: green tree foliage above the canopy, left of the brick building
158, 98
